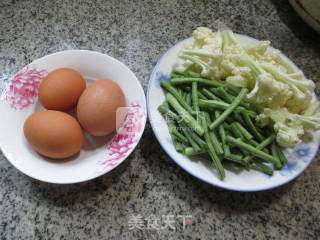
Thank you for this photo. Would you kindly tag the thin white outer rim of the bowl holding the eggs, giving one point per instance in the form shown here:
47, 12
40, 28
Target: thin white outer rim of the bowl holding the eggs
100, 173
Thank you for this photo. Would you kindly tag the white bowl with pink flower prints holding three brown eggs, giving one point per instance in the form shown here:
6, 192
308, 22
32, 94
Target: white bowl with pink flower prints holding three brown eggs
19, 100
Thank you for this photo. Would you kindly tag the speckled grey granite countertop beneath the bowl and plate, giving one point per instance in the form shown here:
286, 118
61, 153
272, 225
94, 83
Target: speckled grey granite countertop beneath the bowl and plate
149, 183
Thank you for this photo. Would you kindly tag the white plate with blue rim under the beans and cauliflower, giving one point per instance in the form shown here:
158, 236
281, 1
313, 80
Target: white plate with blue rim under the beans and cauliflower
299, 157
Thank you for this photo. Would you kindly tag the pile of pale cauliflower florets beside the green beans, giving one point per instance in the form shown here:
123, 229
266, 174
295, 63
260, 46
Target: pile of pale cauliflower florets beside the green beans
282, 94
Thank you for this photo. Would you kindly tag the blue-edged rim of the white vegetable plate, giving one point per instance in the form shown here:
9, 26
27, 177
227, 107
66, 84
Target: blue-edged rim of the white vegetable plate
289, 178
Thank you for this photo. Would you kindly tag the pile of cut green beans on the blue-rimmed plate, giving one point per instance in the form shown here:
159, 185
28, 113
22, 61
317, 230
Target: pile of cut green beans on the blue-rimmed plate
208, 118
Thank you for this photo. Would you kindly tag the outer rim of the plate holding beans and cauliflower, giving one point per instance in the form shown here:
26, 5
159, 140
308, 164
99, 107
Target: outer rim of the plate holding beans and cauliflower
293, 177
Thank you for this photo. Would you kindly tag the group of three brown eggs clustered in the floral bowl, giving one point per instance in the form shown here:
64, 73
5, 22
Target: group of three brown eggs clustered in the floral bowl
55, 133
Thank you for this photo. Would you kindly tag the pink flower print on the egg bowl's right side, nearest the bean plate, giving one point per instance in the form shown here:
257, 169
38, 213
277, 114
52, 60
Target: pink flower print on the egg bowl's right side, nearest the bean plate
127, 135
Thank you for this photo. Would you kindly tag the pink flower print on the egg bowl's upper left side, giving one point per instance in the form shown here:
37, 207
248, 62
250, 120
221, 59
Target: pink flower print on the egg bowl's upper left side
23, 88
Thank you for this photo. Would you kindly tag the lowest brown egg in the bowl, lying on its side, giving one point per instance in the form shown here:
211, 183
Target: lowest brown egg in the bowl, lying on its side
53, 134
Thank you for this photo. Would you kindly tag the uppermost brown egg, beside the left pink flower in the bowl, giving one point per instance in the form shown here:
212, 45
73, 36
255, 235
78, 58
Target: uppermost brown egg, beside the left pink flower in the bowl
61, 89
